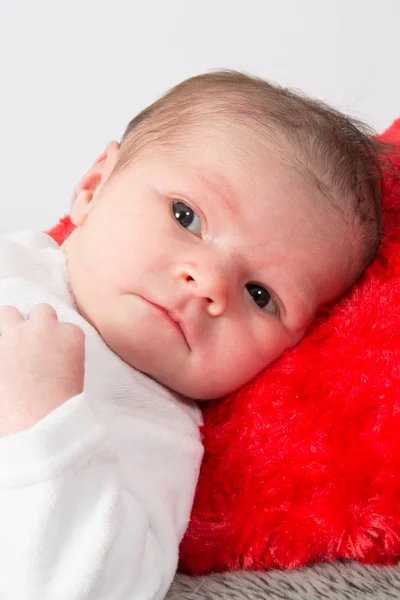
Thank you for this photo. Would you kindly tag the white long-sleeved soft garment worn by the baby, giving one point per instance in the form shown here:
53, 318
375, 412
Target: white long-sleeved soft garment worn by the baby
95, 498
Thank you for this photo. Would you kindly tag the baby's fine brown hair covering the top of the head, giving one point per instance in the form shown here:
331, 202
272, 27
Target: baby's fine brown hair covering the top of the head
337, 154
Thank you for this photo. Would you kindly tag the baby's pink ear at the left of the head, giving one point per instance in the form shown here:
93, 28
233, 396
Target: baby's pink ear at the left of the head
92, 181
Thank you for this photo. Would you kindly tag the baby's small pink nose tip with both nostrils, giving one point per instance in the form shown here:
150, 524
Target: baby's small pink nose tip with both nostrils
209, 282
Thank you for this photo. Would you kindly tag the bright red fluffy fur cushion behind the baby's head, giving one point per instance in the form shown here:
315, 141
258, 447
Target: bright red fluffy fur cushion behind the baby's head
303, 463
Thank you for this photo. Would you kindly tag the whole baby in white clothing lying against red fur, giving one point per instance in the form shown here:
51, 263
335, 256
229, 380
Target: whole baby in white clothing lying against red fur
205, 244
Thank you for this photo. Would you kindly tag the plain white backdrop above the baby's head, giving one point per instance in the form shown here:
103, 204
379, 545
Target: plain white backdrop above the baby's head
74, 72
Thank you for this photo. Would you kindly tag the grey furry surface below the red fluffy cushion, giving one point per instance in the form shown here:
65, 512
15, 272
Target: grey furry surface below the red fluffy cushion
336, 581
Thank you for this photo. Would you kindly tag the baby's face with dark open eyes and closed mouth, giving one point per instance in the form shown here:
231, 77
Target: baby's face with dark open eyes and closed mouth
200, 268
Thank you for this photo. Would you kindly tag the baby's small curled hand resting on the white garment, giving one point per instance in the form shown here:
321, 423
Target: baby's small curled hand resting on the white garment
41, 365
